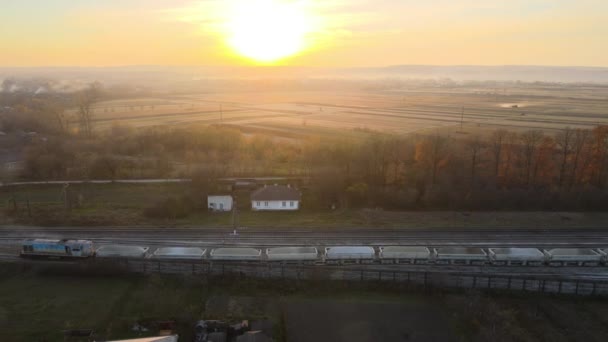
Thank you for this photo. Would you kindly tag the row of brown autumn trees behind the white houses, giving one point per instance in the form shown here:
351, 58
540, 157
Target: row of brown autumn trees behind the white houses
381, 169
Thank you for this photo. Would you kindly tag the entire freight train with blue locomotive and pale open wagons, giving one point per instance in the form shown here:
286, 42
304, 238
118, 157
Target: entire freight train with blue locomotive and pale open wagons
334, 255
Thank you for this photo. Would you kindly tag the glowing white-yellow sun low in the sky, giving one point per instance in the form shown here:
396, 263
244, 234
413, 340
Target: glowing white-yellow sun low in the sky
267, 31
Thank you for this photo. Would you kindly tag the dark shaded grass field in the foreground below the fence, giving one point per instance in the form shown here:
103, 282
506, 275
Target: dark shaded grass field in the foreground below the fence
37, 305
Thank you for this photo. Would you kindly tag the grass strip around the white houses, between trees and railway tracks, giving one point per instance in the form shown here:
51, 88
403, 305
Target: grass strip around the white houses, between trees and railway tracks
124, 204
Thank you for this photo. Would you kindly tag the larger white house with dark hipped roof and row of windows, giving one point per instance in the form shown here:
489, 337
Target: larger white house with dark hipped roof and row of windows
276, 197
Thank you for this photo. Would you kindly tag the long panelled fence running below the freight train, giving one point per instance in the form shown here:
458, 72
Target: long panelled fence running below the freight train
426, 279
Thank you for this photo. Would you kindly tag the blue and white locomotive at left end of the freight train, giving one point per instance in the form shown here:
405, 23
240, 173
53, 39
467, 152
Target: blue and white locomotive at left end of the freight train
57, 248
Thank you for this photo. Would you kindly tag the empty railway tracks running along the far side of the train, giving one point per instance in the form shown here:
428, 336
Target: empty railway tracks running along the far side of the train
521, 237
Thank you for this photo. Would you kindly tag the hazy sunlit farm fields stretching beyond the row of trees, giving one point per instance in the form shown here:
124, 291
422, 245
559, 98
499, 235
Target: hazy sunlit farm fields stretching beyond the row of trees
404, 111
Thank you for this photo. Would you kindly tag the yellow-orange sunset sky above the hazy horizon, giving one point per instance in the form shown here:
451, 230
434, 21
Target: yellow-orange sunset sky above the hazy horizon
331, 33
